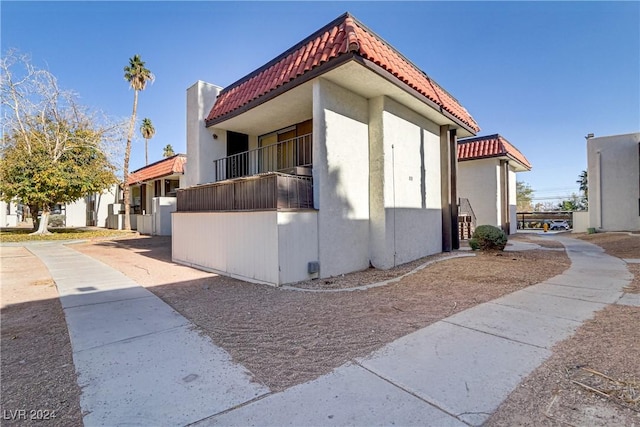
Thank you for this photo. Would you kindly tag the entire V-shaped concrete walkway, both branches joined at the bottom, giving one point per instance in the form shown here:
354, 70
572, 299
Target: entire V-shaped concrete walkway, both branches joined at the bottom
141, 363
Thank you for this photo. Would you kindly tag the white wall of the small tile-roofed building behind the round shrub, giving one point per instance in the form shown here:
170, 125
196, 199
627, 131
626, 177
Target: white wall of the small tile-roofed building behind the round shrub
478, 181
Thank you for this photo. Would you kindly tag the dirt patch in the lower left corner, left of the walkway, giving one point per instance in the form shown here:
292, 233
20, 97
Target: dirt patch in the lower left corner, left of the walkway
38, 377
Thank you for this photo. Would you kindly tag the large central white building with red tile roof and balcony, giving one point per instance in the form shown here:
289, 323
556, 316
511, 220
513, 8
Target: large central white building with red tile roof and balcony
337, 155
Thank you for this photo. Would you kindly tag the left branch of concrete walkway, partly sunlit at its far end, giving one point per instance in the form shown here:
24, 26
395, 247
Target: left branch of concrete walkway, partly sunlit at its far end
138, 361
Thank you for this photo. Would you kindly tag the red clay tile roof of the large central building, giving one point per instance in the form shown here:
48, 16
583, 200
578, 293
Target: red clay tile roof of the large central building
343, 36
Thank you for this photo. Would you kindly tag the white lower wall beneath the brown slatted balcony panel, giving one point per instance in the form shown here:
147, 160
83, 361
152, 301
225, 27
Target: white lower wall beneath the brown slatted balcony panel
266, 246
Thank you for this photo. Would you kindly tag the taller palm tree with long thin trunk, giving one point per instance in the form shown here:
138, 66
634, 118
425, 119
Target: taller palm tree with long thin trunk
138, 77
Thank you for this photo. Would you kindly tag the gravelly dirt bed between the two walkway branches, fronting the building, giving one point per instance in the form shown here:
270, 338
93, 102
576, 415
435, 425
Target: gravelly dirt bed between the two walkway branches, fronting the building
288, 337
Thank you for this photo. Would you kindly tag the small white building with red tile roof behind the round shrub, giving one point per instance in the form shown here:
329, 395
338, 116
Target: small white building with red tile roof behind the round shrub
487, 178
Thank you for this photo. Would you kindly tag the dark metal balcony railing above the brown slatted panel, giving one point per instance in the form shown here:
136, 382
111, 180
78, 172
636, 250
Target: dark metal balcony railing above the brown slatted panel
285, 156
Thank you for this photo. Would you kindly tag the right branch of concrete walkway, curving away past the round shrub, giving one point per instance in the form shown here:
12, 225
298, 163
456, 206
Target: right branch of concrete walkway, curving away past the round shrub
457, 371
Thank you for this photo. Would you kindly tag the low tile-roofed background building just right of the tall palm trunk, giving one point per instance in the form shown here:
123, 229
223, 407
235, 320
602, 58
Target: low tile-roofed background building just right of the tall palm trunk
153, 194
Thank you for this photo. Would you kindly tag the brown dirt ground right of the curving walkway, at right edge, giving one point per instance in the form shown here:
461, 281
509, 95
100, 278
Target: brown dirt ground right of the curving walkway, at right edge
592, 378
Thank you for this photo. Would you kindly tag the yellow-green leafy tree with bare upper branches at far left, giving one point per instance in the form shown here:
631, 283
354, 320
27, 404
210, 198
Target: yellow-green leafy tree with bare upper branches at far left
53, 150
